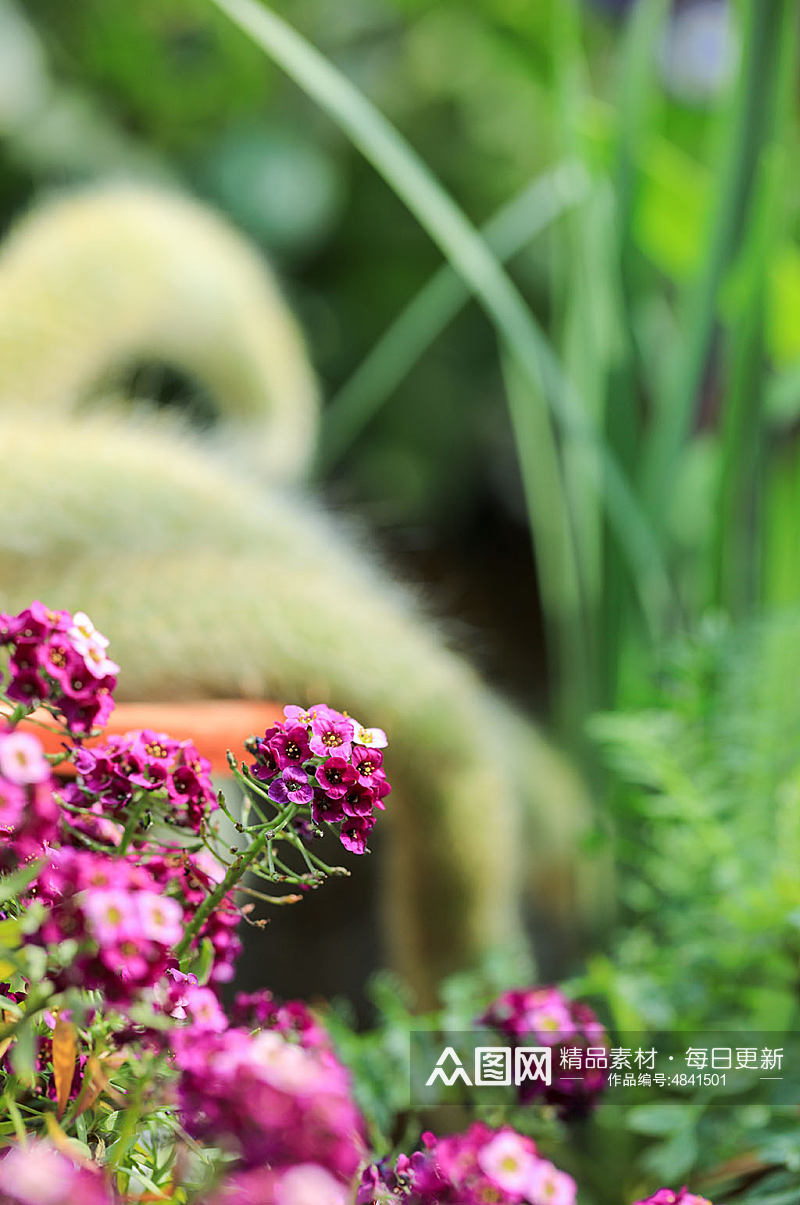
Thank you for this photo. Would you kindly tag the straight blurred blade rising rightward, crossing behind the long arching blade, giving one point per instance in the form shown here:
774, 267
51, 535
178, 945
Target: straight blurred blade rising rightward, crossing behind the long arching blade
437, 304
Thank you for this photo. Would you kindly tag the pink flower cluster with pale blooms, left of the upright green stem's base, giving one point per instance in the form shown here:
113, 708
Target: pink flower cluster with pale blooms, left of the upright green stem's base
123, 925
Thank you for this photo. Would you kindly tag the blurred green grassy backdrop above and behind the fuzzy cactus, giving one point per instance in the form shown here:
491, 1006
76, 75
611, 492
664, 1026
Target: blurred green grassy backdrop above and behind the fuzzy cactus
634, 167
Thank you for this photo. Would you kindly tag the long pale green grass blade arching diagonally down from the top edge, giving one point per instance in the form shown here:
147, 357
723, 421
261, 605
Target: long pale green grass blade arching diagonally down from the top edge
448, 226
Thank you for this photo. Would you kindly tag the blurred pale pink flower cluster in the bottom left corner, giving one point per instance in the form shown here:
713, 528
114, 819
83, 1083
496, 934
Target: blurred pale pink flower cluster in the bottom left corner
39, 1175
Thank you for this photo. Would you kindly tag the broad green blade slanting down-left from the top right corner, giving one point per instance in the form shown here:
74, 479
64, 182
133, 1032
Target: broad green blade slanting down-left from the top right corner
767, 25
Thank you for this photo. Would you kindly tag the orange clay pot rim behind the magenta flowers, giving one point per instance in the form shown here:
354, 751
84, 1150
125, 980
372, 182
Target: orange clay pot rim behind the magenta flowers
214, 725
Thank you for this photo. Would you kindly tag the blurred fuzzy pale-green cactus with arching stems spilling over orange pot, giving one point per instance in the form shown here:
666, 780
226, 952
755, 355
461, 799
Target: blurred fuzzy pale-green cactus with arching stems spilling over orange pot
213, 583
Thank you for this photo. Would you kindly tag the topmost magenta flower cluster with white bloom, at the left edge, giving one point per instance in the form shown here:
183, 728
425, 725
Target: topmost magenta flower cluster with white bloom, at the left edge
60, 661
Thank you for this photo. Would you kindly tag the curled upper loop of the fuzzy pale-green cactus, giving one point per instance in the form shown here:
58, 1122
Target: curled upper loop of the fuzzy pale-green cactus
99, 279
